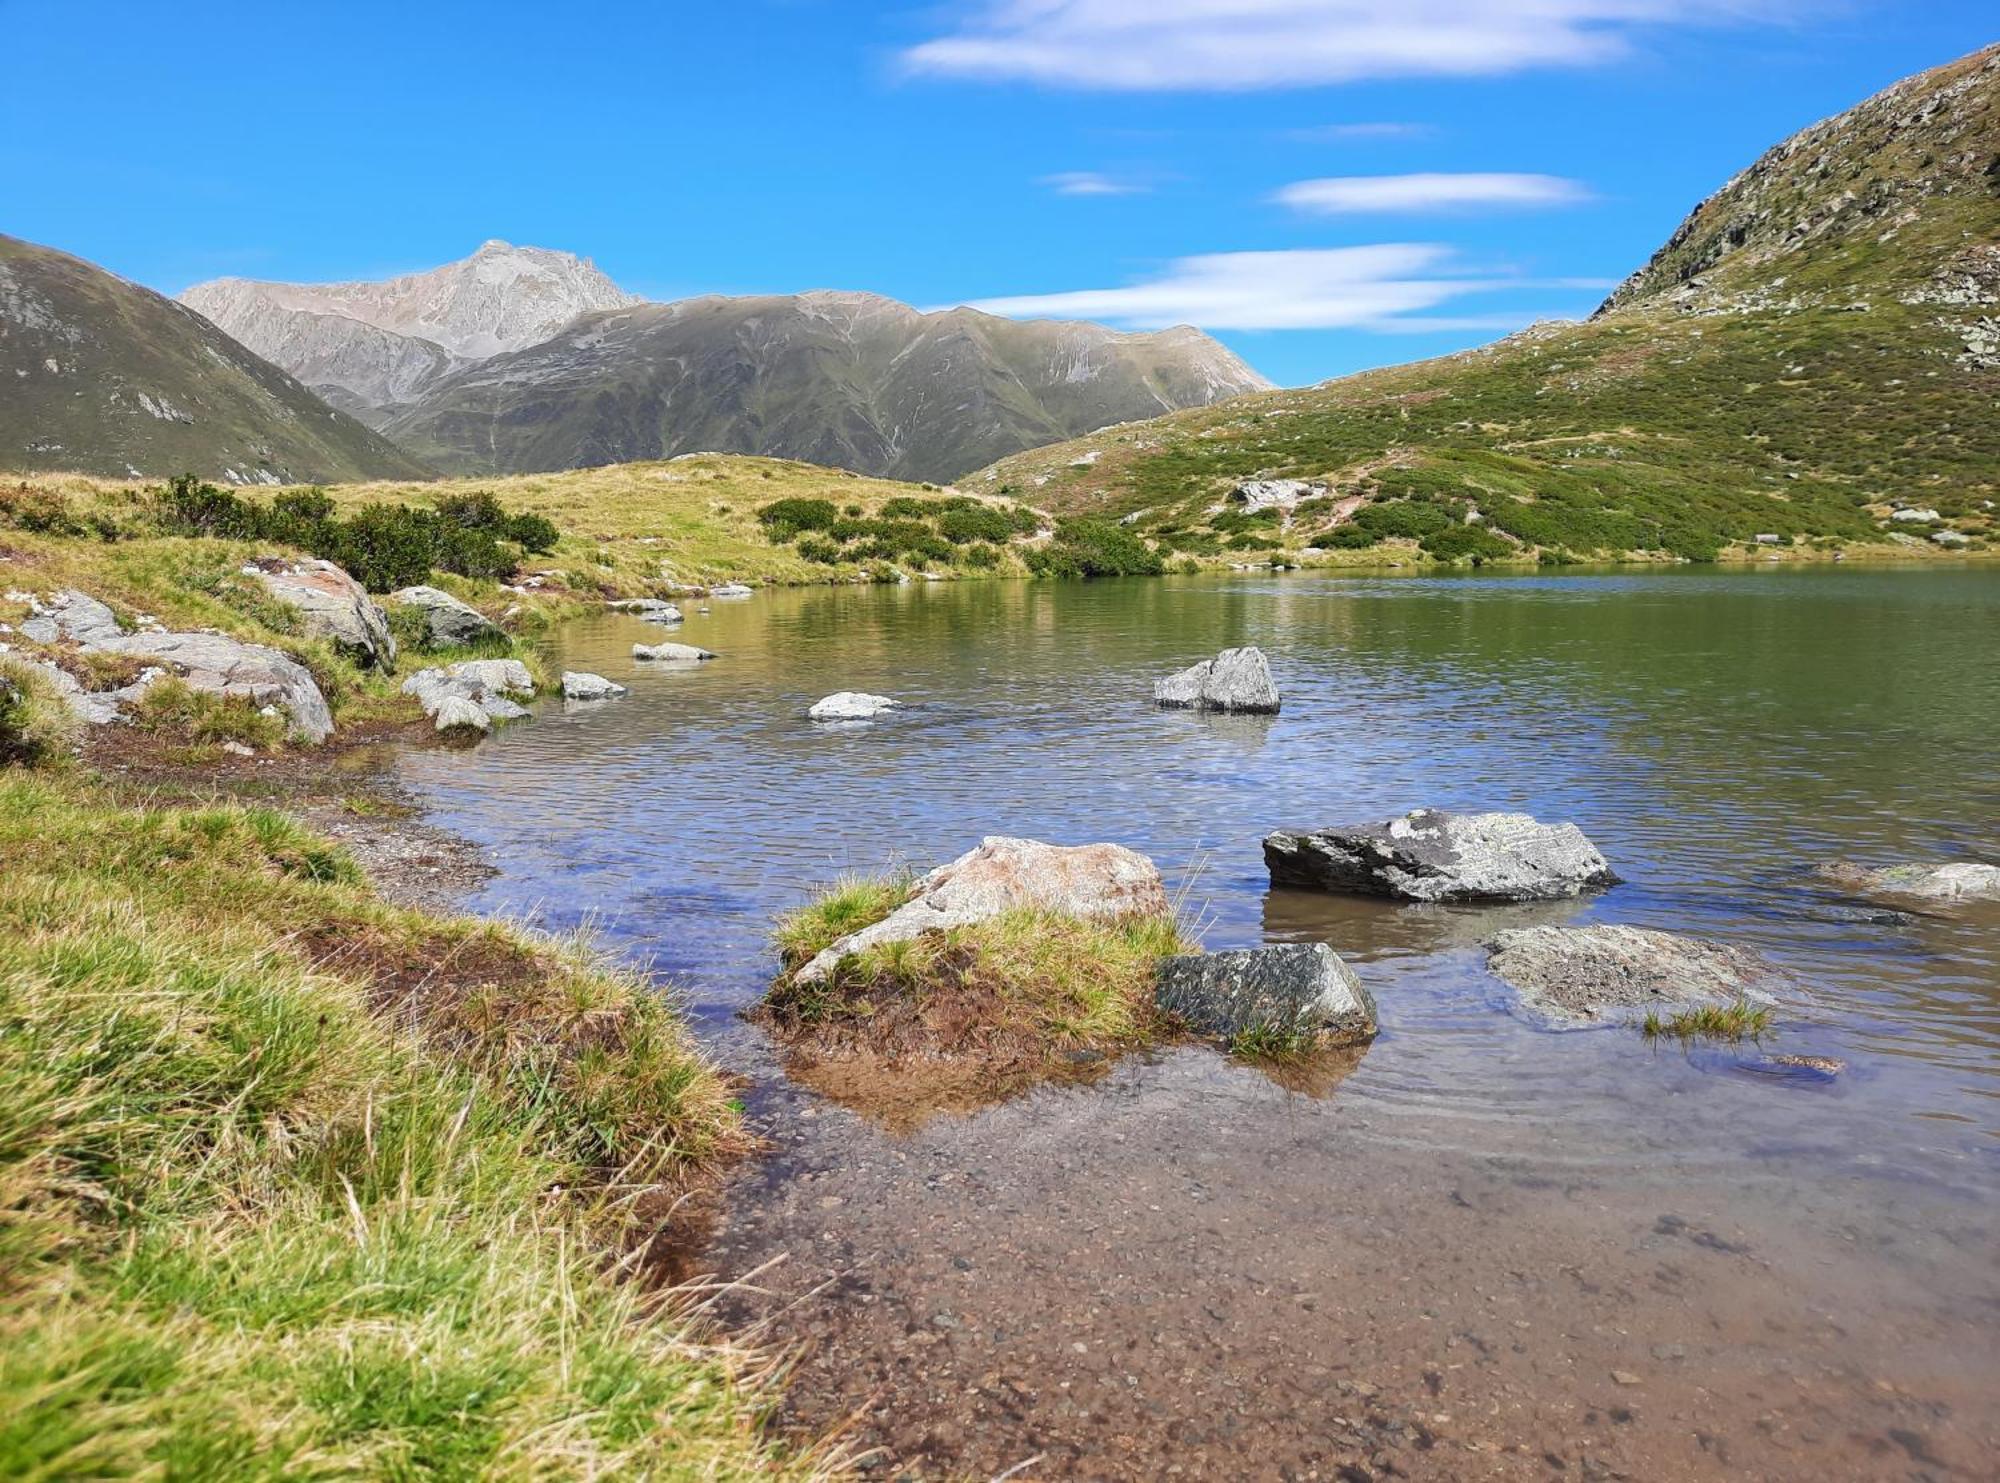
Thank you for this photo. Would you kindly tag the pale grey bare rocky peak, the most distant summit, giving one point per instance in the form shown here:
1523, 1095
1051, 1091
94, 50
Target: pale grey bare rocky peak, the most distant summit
375, 347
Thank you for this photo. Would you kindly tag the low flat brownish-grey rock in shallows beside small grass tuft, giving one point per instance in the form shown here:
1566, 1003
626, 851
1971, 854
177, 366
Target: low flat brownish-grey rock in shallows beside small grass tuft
1575, 978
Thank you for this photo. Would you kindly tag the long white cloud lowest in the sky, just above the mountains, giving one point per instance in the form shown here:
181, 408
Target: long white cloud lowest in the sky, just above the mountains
1323, 289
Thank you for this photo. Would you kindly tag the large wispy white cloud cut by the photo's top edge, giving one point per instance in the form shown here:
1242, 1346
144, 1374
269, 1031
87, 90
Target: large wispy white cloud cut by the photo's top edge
1235, 45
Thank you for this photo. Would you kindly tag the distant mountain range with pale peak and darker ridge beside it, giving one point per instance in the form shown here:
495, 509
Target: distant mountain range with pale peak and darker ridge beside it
525, 361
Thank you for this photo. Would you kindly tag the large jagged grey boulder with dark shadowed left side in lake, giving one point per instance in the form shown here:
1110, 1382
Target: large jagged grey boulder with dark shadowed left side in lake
1431, 856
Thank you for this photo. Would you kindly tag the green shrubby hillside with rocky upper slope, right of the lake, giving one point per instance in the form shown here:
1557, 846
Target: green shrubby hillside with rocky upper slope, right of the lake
1813, 351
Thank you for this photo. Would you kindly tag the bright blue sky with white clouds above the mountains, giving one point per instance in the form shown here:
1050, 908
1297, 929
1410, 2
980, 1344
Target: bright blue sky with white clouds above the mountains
1327, 185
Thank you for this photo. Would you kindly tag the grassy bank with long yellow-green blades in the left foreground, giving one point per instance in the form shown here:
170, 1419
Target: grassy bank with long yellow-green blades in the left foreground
297, 1182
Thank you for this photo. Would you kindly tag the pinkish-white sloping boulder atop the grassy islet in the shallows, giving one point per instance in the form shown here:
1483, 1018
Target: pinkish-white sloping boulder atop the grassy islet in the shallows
1005, 874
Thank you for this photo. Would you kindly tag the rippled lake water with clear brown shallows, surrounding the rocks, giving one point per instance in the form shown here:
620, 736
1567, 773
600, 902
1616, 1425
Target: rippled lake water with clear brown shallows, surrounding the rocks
1477, 1250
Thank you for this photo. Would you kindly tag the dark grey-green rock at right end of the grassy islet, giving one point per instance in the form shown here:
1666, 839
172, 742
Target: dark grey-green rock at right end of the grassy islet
1293, 990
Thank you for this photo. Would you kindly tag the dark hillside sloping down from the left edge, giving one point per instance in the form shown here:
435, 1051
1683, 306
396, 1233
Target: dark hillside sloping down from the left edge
105, 377
